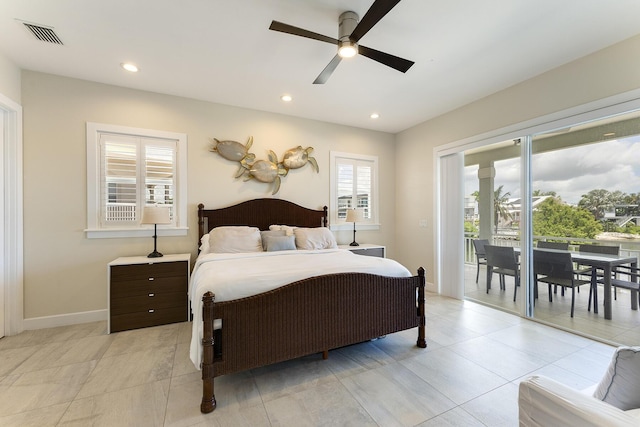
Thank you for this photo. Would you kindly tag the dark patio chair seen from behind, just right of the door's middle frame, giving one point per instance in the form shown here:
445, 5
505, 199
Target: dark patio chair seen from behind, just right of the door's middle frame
556, 268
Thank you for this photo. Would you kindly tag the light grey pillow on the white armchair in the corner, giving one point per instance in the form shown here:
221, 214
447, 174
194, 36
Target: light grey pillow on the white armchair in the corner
620, 385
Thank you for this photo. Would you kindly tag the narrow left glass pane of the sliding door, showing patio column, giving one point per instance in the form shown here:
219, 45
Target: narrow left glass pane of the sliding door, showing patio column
492, 210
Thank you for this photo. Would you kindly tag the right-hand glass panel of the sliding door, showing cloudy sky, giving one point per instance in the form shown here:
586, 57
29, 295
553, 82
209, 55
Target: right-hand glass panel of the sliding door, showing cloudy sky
586, 187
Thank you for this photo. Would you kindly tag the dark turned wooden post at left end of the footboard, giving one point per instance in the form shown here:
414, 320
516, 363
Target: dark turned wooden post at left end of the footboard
208, 397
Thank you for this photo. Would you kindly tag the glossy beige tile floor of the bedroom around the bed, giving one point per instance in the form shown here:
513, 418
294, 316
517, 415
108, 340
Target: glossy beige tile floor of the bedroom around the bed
468, 376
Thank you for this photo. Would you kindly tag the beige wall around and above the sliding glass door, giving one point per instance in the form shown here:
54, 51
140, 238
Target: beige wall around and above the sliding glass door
606, 73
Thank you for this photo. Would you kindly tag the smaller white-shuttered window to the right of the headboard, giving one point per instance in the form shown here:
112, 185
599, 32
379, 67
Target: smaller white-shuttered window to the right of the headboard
354, 185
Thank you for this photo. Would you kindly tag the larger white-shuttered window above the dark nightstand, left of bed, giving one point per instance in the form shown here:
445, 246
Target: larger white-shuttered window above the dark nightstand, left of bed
128, 169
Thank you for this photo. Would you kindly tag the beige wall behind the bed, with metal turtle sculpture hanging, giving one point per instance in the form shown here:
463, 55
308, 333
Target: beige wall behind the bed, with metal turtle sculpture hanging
64, 271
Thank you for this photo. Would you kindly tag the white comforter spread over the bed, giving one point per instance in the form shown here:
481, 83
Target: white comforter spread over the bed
233, 276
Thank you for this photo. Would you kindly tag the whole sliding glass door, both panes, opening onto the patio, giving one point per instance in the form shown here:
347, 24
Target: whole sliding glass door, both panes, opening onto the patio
572, 186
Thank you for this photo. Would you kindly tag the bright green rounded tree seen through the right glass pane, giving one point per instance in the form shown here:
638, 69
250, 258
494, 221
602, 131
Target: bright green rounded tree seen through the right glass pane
554, 218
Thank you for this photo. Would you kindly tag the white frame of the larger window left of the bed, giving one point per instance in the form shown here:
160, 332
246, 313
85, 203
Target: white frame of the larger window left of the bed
95, 229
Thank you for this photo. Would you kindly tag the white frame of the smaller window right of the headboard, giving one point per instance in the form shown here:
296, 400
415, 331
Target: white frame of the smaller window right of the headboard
337, 223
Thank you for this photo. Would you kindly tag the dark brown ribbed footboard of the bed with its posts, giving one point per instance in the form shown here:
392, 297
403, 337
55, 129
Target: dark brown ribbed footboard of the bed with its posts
310, 316
